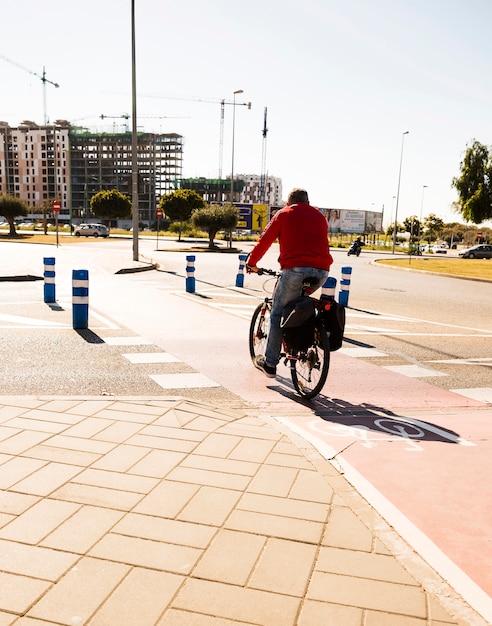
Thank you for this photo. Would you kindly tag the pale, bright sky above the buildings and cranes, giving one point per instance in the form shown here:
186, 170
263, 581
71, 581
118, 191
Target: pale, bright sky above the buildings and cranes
341, 83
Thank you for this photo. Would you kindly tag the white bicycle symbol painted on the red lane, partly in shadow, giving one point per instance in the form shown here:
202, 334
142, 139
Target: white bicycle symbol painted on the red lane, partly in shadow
402, 429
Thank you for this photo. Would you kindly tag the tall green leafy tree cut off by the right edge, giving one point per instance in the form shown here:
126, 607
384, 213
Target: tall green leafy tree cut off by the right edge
474, 186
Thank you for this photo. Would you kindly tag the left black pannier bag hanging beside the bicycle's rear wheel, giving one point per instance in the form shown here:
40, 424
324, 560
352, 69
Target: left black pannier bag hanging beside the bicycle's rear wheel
298, 323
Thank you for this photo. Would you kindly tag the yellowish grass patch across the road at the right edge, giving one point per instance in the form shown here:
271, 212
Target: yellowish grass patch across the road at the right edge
469, 268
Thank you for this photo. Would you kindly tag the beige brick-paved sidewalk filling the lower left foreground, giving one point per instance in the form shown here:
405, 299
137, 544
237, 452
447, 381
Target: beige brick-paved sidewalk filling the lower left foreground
143, 512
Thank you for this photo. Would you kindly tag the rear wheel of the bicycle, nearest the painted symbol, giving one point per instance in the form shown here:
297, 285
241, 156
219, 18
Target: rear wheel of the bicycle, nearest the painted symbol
309, 368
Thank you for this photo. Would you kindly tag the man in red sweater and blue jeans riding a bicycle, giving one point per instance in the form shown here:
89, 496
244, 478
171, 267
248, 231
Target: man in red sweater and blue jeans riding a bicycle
302, 232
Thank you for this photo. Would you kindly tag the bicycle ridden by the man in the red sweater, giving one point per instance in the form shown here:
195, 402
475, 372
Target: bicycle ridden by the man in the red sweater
309, 364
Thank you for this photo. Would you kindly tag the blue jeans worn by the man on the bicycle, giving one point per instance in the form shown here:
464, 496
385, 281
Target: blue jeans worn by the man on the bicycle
289, 286
